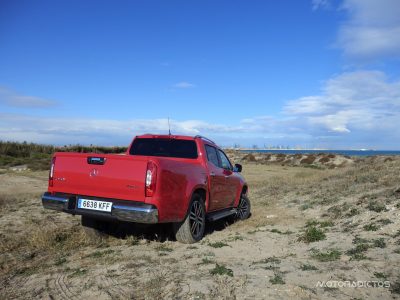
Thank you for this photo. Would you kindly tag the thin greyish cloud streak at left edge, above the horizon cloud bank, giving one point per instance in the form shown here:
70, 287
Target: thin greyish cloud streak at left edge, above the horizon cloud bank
11, 98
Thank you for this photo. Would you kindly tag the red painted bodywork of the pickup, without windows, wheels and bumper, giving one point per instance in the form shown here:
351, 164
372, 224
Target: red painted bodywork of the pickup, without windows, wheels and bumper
173, 180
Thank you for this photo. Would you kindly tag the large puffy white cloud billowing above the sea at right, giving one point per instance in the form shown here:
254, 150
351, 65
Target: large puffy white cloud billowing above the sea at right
360, 101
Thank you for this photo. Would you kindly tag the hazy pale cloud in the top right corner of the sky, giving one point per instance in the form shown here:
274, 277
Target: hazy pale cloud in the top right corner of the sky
372, 30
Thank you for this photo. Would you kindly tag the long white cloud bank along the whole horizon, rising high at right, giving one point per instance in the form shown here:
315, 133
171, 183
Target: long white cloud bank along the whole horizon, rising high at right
353, 109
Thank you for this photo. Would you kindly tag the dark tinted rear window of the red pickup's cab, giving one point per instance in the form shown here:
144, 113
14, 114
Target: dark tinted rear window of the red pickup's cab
164, 147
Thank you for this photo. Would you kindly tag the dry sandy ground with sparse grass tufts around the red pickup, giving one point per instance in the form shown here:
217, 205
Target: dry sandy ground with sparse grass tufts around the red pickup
338, 226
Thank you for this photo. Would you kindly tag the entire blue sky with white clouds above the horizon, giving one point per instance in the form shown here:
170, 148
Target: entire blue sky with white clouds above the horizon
313, 73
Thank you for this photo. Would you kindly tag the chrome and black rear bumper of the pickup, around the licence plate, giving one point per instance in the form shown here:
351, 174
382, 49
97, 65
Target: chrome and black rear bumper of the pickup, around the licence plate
122, 210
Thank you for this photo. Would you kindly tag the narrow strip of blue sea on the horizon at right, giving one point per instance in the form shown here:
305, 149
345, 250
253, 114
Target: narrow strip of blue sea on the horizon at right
339, 152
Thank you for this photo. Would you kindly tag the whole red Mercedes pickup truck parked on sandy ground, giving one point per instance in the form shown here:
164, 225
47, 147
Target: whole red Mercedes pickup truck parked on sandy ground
161, 179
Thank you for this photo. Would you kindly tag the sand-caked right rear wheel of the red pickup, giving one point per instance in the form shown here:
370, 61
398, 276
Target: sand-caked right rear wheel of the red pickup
191, 230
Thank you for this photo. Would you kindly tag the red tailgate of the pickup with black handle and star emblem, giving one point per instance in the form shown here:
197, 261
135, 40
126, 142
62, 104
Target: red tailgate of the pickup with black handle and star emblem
118, 177
